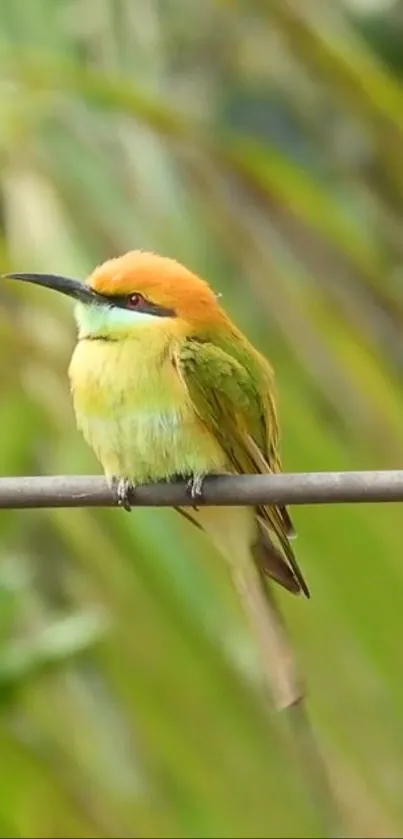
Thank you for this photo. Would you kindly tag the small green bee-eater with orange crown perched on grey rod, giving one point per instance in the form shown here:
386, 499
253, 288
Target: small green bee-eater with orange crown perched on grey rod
166, 386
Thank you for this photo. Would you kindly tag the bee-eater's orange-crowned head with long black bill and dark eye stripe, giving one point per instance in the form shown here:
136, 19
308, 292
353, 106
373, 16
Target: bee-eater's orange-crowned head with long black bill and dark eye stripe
133, 291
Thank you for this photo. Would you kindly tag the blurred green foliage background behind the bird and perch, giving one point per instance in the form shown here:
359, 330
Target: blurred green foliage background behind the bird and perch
260, 143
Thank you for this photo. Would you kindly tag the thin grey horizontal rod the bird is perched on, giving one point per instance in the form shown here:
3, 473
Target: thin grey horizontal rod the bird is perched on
234, 490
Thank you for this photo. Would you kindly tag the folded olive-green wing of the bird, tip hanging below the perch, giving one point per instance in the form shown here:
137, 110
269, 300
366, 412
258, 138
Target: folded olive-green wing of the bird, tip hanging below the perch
235, 400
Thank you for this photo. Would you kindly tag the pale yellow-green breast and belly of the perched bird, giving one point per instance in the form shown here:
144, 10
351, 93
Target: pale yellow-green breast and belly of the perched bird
135, 412
